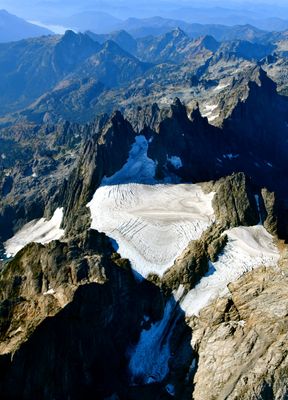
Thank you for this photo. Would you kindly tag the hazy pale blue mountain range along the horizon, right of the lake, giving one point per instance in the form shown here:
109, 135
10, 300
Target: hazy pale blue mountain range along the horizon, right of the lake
188, 19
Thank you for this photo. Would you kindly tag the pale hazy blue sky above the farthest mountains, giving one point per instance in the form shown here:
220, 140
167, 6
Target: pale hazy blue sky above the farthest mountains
56, 11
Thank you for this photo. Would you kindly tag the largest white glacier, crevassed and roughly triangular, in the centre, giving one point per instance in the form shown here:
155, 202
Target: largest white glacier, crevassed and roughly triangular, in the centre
152, 224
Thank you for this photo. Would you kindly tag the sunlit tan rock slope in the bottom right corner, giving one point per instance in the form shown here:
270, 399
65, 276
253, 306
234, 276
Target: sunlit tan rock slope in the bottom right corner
242, 341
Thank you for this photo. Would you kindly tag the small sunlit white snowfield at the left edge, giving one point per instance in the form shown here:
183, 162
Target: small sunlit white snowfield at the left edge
39, 231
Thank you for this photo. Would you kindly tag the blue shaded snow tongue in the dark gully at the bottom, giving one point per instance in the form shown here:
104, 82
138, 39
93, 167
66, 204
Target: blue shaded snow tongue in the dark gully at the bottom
150, 357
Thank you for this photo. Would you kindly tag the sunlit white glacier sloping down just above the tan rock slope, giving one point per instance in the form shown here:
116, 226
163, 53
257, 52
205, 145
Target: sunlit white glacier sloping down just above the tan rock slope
247, 248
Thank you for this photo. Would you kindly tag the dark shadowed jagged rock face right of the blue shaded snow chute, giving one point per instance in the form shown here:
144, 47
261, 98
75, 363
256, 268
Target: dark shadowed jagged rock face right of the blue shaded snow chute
189, 139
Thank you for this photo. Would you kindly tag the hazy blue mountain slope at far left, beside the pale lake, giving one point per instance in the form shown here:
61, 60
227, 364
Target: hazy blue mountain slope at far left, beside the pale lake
13, 28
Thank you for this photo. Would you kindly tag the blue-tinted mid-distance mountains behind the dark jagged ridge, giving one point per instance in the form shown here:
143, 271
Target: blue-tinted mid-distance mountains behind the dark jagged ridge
77, 76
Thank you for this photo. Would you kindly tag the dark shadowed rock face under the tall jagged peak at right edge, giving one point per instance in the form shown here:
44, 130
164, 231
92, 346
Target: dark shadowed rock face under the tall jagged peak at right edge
255, 119
